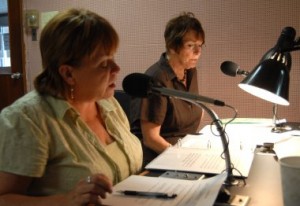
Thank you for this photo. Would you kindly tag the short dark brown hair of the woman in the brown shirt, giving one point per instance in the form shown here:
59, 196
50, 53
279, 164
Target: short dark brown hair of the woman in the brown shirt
177, 27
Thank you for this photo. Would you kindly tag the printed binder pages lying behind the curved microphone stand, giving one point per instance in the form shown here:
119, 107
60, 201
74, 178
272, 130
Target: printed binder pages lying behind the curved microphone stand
201, 161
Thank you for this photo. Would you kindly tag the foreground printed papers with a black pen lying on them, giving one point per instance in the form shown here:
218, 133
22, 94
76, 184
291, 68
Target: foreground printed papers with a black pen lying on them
189, 192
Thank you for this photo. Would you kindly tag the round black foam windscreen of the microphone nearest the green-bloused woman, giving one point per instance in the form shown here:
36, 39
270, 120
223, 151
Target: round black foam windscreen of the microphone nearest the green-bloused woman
137, 85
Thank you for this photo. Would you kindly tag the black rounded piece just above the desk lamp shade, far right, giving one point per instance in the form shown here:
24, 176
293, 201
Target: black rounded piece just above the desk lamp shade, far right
286, 39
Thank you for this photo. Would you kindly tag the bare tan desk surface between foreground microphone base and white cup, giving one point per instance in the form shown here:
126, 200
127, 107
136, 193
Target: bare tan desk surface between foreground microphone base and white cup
263, 183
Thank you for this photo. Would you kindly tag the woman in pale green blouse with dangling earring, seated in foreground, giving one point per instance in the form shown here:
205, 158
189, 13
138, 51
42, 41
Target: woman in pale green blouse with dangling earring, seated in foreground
68, 141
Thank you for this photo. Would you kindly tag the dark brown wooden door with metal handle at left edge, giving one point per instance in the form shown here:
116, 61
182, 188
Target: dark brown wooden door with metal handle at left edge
12, 79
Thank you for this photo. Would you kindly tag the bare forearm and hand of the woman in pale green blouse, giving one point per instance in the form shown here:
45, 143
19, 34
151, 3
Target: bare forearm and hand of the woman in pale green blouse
88, 191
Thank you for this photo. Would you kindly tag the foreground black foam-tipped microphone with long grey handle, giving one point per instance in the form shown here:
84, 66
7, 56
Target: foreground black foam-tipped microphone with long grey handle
142, 85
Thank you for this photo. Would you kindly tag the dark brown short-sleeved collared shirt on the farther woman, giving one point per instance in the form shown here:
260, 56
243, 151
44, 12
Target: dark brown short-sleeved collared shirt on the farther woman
176, 117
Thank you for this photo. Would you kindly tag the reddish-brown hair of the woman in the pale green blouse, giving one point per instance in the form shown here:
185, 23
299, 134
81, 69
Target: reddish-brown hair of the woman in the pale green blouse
68, 38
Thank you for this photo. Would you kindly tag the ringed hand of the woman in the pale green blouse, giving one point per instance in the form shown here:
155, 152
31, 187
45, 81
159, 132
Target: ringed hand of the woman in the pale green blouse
89, 191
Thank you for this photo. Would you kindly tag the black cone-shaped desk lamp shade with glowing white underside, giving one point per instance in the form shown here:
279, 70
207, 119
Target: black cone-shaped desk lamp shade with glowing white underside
268, 81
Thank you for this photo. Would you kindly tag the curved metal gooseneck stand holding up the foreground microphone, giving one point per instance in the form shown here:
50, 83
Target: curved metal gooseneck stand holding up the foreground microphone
230, 180
